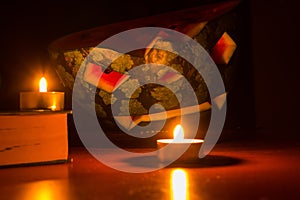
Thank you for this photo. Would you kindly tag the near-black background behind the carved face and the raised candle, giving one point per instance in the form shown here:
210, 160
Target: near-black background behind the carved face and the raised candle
28, 27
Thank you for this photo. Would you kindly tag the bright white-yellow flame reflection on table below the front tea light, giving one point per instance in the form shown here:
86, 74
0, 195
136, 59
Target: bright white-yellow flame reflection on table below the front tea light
179, 185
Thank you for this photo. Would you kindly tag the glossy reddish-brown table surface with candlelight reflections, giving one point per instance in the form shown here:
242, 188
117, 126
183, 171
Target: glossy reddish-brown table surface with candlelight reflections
234, 170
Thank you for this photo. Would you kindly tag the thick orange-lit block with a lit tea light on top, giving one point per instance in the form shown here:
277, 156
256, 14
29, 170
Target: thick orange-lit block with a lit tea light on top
33, 137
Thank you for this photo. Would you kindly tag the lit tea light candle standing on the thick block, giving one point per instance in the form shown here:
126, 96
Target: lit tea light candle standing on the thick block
42, 100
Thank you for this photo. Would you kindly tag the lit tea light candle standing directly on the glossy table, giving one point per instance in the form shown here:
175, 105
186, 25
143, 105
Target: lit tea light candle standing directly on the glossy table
177, 145
